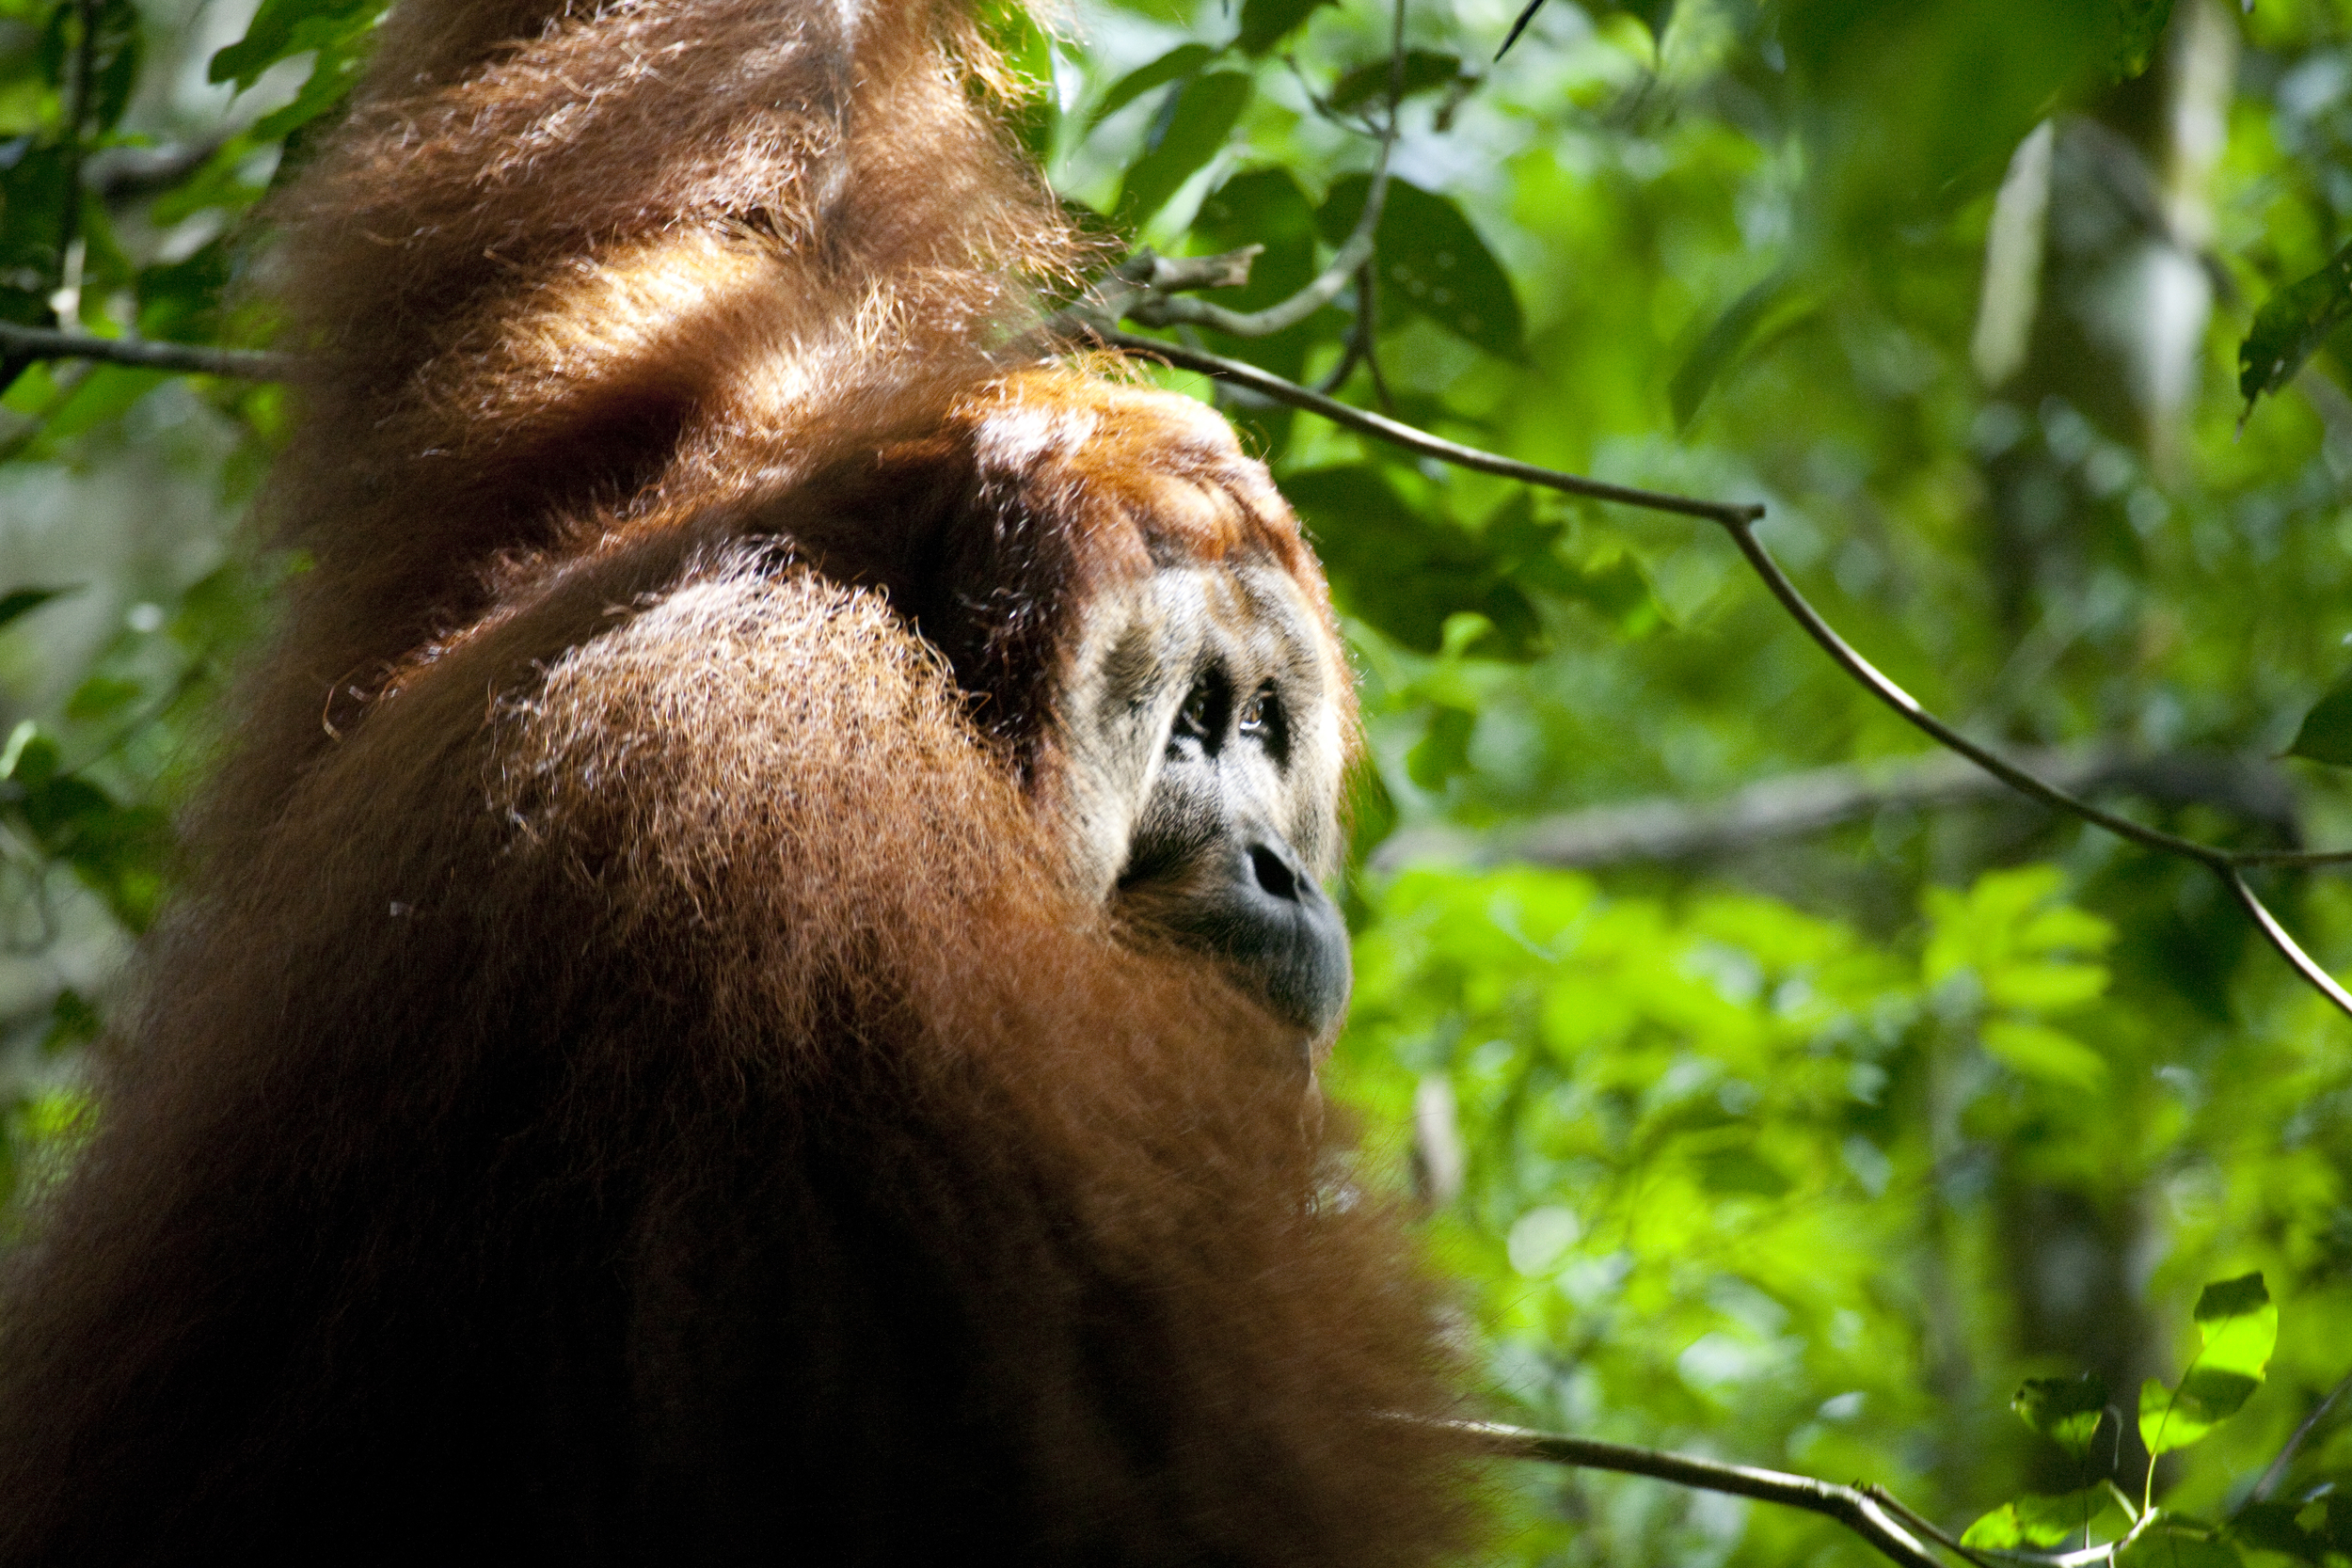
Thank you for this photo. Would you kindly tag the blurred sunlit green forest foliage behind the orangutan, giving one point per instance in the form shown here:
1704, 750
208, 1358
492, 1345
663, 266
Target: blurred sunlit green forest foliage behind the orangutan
1772, 1087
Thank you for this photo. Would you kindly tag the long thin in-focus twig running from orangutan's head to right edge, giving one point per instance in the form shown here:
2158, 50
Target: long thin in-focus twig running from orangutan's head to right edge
1739, 521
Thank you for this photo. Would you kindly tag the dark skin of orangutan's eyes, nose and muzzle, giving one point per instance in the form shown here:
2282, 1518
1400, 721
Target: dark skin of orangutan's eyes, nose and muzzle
1210, 864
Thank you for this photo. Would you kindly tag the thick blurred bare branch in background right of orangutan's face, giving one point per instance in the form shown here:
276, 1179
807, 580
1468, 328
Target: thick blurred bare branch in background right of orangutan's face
1798, 805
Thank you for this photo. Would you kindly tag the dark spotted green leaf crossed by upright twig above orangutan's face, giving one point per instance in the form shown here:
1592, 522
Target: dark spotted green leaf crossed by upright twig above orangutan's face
1431, 262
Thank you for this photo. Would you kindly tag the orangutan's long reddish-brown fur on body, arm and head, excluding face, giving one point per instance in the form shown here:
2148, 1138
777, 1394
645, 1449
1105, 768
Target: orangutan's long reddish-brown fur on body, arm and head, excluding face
629, 1078
